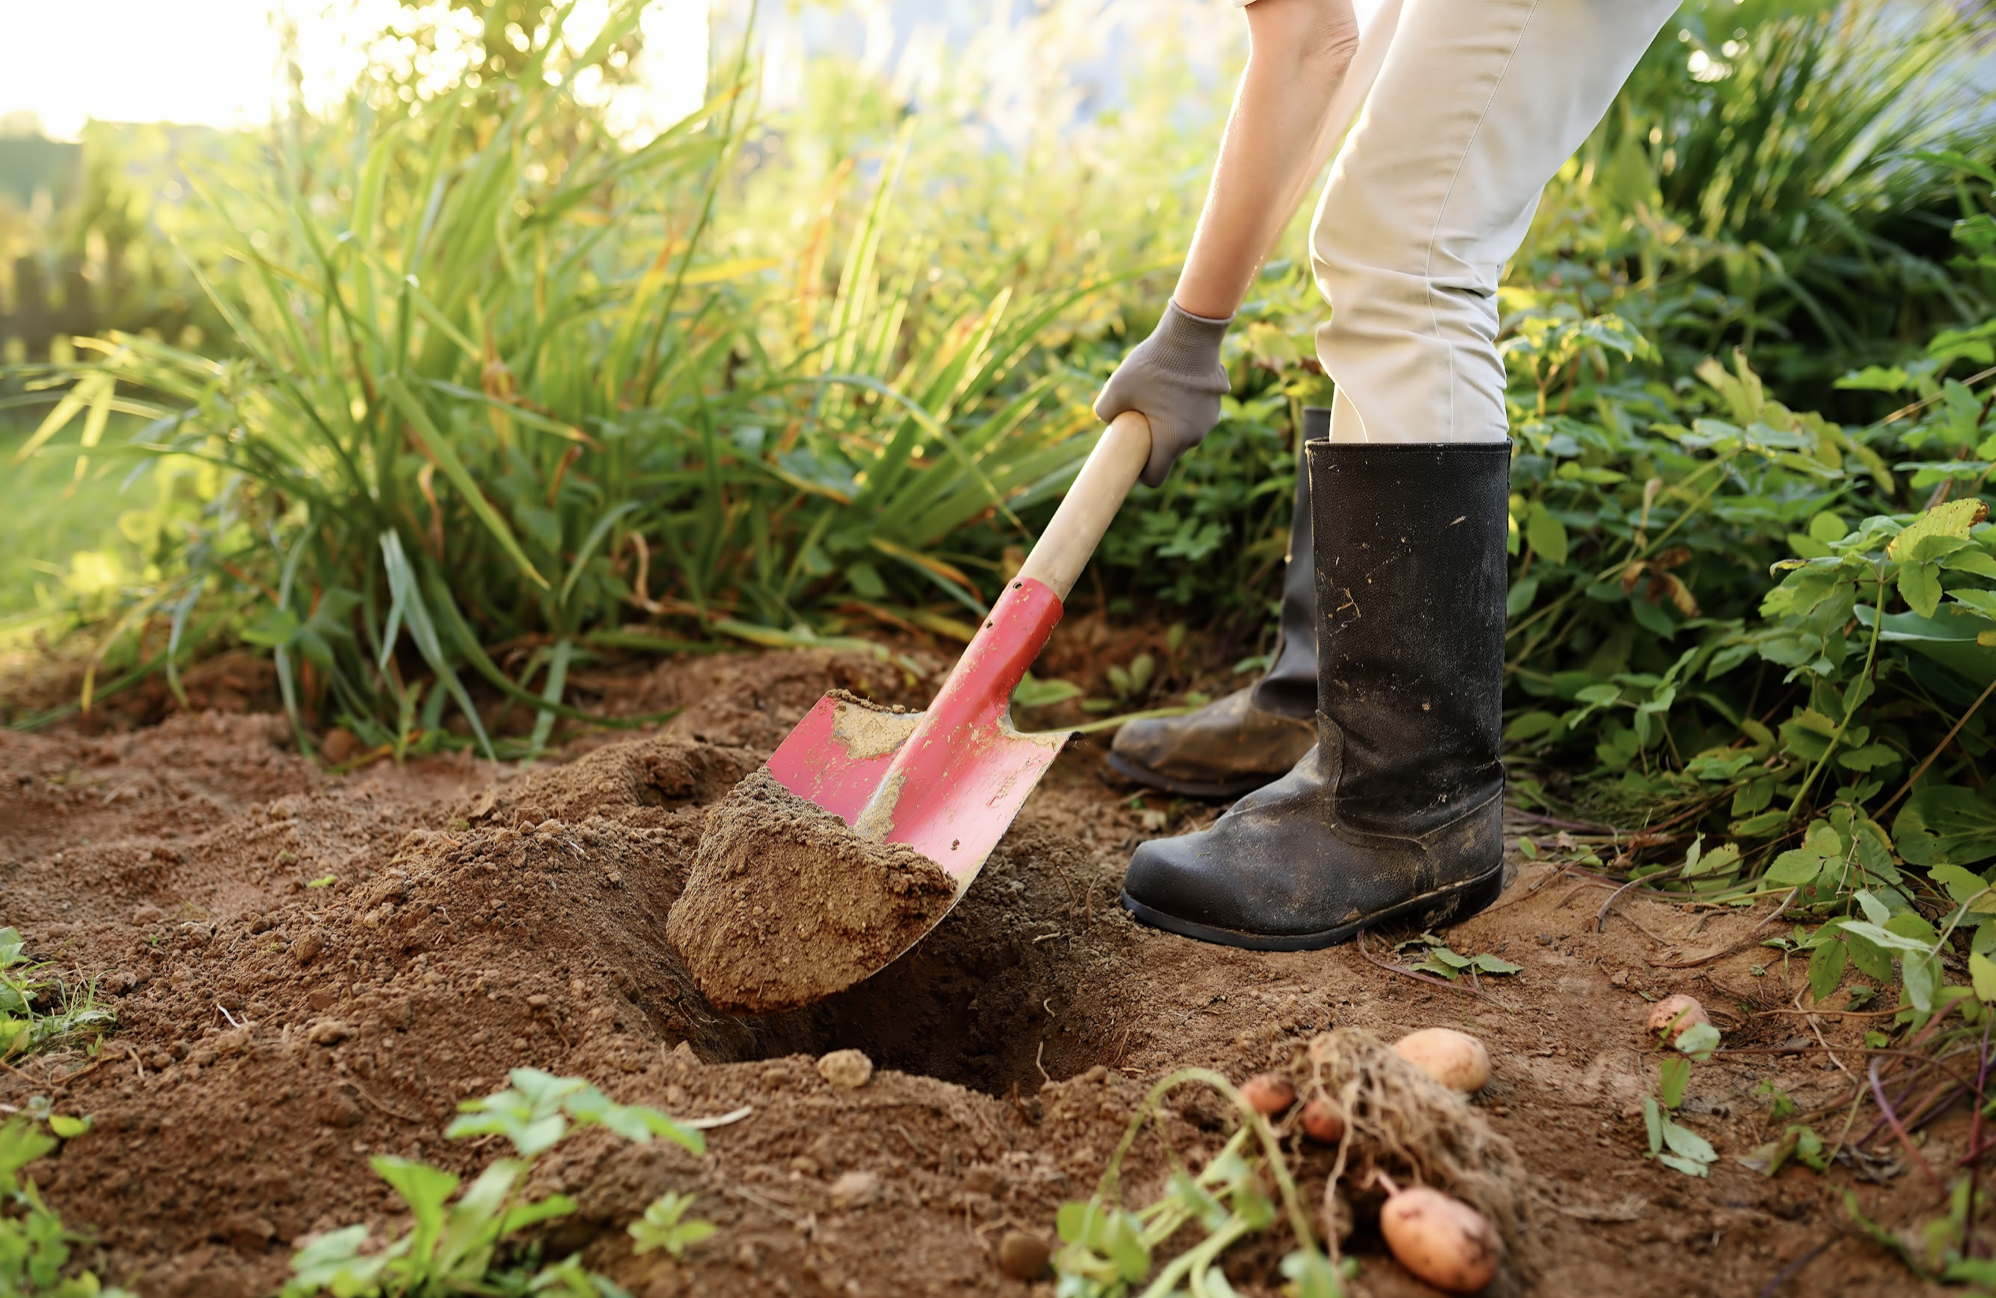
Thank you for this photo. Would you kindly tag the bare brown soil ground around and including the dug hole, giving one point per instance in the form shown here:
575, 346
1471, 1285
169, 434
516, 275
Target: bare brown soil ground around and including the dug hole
314, 970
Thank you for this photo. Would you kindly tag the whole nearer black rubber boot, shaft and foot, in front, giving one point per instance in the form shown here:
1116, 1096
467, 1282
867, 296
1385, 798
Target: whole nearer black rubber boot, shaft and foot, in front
1396, 814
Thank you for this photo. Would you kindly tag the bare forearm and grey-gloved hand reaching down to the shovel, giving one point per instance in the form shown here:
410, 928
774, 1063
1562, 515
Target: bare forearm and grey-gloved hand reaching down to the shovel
1298, 53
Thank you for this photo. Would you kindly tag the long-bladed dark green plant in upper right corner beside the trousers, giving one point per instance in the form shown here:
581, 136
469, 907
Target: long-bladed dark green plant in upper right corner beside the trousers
1781, 177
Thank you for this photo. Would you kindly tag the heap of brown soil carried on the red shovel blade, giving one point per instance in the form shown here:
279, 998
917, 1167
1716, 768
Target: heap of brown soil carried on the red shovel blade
787, 906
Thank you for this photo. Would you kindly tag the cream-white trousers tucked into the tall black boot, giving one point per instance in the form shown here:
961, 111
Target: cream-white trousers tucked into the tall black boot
1474, 111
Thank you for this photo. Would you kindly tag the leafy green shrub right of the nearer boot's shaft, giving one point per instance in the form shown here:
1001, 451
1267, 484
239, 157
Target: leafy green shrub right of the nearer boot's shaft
1759, 642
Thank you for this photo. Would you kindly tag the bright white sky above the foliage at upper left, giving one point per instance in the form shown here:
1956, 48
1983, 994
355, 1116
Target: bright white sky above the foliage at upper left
217, 63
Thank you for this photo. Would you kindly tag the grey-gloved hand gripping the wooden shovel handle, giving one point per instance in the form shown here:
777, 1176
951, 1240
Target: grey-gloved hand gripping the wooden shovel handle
1177, 380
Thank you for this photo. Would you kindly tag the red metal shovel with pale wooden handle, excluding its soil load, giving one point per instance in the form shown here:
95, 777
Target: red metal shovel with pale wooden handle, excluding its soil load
947, 782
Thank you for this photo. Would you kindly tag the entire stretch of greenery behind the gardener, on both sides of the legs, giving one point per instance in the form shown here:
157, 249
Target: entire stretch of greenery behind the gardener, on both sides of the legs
452, 390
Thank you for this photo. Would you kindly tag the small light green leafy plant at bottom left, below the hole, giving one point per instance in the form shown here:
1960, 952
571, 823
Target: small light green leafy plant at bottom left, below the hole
460, 1247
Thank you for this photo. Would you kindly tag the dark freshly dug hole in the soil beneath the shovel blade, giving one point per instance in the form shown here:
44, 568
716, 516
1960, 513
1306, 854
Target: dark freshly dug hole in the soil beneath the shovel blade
1017, 985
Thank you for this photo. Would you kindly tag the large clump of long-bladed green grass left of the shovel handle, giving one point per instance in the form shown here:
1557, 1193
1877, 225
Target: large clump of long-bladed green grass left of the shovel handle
488, 396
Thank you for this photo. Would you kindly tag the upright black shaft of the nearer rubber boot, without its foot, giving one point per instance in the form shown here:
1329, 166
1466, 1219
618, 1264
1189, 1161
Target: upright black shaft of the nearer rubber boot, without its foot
1410, 544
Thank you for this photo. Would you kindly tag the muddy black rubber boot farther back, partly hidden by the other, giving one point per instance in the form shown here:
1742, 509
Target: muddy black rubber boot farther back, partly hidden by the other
1250, 738
